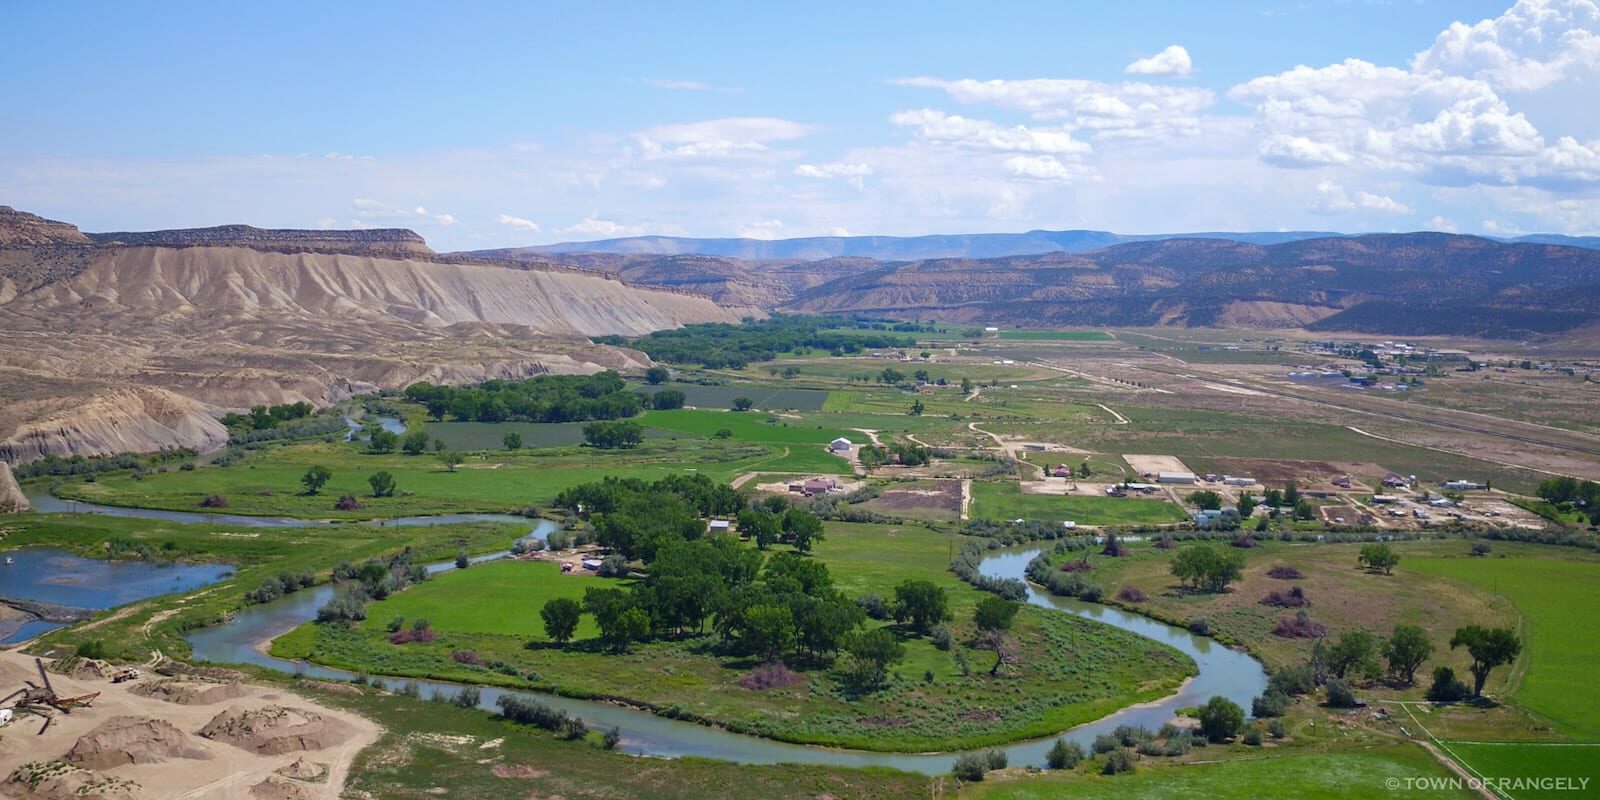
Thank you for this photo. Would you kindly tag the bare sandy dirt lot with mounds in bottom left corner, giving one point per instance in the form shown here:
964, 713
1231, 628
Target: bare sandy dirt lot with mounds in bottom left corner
249, 743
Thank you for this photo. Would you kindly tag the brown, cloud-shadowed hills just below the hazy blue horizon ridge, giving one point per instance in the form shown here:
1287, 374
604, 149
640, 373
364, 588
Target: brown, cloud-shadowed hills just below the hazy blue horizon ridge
1394, 284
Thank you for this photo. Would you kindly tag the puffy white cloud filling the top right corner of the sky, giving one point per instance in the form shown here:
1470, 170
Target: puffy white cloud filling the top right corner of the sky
1534, 46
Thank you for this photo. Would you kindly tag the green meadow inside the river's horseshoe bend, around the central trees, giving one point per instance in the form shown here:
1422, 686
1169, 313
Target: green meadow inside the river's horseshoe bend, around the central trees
1071, 670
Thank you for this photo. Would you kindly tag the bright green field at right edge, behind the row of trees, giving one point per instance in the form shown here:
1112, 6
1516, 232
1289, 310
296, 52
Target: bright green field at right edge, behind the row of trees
1558, 663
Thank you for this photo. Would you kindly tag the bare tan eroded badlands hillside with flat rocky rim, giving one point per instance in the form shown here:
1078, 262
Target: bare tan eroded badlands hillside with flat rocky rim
137, 342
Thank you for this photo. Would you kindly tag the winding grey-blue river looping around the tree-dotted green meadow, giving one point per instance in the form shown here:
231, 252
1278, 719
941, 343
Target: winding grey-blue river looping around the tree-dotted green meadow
1222, 671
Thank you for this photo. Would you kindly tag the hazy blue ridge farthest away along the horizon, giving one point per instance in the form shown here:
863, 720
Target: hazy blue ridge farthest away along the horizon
927, 247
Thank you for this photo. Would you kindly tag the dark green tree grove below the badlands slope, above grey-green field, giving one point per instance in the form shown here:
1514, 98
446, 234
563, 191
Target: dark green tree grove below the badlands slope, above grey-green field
543, 399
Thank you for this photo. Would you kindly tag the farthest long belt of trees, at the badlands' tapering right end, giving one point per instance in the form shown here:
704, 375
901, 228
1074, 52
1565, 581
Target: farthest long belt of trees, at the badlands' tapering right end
719, 346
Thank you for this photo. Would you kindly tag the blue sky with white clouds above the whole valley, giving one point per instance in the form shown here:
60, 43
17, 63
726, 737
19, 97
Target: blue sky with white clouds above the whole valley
510, 124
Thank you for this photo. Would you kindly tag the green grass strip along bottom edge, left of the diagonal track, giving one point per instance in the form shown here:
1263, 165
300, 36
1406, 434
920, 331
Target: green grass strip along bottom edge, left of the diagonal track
1298, 775
